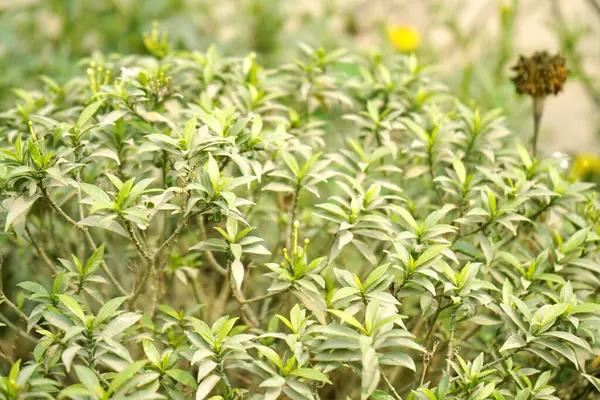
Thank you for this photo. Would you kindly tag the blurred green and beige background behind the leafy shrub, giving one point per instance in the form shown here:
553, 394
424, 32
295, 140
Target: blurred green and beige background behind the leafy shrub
472, 42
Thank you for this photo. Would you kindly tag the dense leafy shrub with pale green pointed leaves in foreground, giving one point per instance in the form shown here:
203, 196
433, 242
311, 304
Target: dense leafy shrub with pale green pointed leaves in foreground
340, 227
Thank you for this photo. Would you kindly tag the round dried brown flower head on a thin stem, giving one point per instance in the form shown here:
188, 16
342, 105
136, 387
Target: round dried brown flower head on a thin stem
540, 75
